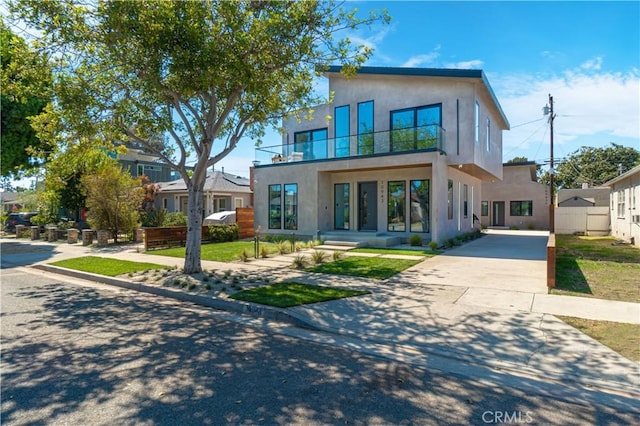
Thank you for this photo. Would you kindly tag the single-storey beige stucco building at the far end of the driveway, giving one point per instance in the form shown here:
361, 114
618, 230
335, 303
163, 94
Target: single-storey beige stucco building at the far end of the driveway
518, 201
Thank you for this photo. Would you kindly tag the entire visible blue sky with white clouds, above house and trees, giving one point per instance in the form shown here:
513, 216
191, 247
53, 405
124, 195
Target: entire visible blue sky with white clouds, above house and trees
585, 54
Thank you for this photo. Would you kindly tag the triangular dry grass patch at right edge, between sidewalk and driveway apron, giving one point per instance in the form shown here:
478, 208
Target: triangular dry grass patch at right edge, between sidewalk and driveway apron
622, 338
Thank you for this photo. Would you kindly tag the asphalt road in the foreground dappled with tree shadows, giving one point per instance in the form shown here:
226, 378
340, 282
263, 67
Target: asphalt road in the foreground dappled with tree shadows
78, 353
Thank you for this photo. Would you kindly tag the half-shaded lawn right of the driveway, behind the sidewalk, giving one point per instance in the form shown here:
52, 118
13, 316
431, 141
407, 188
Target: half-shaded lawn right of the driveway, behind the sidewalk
595, 267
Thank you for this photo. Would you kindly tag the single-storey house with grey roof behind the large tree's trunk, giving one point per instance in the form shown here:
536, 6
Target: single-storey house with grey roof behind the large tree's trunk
222, 191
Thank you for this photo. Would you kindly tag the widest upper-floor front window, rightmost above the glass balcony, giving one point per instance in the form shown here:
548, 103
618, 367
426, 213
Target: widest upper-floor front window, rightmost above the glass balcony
415, 128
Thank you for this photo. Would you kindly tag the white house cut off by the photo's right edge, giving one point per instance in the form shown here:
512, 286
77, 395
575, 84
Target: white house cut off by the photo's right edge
625, 206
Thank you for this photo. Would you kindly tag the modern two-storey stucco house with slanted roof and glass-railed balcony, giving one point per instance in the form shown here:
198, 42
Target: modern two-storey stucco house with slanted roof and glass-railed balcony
400, 151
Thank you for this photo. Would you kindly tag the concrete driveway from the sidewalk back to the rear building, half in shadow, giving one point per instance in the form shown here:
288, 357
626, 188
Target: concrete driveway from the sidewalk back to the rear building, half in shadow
503, 260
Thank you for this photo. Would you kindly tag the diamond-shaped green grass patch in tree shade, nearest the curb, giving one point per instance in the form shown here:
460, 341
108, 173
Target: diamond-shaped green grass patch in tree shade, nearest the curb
287, 294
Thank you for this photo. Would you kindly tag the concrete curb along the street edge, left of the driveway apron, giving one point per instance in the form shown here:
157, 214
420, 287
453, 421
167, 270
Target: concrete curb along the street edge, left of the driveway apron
255, 310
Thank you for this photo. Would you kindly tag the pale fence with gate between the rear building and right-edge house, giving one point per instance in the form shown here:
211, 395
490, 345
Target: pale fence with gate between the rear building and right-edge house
582, 220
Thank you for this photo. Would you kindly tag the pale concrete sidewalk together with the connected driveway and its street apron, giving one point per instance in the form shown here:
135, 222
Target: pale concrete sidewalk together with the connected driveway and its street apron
484, 303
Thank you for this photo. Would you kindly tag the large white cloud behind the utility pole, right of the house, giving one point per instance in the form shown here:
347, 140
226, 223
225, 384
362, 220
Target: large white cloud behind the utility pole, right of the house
589, 105
